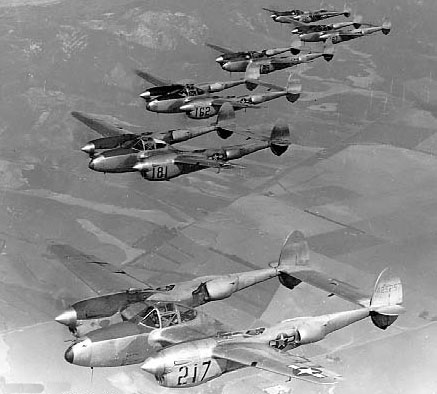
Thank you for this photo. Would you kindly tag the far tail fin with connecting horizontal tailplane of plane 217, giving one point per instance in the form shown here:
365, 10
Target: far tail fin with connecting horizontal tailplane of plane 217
294, 260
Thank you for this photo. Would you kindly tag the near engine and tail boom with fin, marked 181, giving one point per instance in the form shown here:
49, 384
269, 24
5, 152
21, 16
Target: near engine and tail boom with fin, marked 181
164, 165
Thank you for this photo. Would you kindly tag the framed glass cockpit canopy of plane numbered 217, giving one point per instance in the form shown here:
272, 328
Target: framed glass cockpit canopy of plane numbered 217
165, 314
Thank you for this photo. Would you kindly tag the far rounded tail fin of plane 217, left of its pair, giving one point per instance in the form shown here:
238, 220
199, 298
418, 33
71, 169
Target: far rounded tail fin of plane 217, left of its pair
294, 255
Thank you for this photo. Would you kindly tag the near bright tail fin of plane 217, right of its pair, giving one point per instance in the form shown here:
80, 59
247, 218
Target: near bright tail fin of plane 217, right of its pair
386, 301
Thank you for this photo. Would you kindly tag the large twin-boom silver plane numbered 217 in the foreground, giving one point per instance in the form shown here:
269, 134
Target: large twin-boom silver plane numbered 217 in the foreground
184, 347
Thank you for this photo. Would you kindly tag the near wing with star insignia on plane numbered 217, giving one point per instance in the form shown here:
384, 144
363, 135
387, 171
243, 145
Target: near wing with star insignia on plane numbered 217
265, 358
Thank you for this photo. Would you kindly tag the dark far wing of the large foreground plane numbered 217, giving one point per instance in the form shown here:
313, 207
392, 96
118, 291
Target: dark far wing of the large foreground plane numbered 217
99, 276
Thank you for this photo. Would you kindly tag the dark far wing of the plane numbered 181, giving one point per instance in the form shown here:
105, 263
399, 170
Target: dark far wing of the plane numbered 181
105, 125
